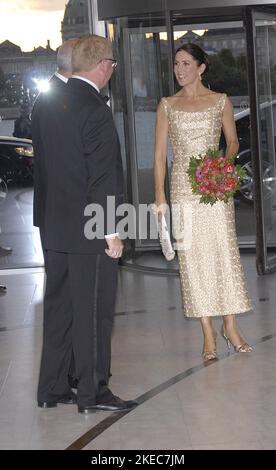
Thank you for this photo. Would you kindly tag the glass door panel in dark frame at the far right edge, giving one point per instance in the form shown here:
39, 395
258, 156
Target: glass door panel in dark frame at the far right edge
264, 54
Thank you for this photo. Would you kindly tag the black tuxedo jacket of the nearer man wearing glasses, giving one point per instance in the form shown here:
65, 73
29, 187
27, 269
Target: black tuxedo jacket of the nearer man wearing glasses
77, 162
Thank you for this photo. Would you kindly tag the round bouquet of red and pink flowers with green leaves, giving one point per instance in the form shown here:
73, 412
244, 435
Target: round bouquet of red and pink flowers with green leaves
214, 177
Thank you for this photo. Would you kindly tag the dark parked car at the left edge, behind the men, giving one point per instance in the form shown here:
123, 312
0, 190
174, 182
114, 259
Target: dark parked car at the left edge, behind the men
16, 161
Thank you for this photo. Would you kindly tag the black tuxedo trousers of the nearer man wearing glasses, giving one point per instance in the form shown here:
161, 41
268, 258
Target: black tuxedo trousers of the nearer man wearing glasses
79, 307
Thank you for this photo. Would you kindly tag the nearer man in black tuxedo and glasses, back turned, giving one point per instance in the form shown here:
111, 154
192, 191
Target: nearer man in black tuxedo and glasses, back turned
78, 160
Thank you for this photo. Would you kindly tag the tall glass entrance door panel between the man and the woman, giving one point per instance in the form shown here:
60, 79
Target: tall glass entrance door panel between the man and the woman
147, 80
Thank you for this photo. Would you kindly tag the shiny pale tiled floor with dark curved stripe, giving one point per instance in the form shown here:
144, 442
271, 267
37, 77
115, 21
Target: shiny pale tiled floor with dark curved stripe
184, 404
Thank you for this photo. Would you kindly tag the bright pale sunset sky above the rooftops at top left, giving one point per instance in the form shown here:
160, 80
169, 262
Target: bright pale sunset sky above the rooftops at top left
29, 23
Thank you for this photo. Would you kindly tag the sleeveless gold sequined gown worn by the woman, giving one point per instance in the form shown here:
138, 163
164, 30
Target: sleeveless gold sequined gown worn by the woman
211, 275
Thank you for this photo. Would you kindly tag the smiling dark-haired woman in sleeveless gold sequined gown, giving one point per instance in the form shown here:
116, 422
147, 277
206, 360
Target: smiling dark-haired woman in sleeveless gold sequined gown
211, 275
